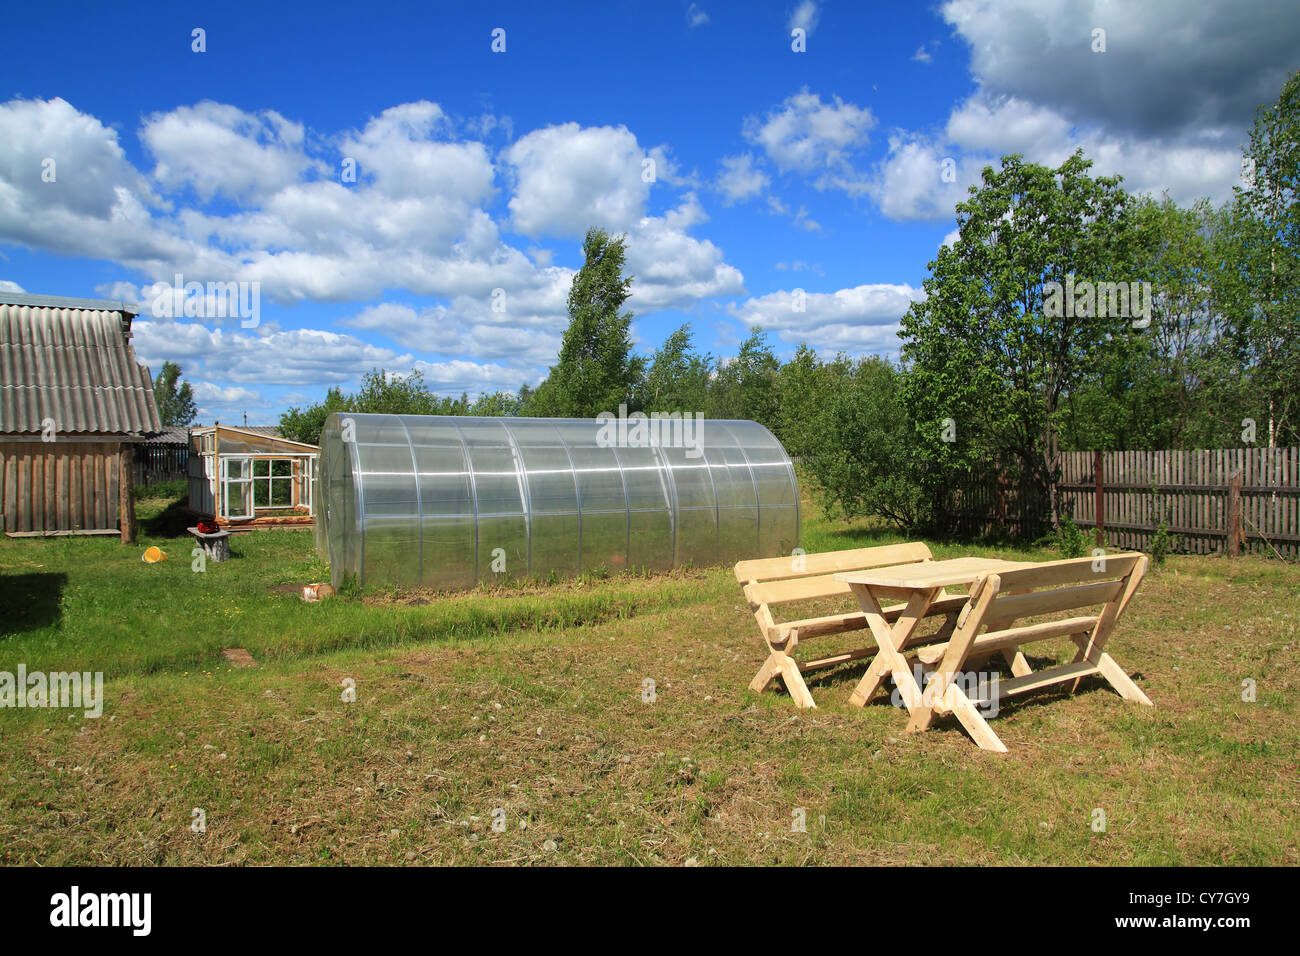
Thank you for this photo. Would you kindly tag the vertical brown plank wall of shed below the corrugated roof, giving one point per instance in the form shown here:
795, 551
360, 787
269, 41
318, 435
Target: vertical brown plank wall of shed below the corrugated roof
59, 486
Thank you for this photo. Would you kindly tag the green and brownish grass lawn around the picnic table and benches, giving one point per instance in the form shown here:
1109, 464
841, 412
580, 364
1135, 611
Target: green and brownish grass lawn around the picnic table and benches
525, 707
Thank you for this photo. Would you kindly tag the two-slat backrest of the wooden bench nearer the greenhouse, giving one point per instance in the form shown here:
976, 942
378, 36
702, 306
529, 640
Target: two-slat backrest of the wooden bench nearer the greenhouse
809, 577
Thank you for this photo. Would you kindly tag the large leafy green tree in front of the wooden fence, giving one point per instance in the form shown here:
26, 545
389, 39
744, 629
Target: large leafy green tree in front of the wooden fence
990, 361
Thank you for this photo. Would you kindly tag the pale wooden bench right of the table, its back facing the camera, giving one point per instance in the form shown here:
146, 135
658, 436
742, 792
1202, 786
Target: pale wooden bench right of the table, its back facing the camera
985, 628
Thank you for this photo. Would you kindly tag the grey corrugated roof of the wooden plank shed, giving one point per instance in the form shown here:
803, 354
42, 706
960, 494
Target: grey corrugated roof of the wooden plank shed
73, 365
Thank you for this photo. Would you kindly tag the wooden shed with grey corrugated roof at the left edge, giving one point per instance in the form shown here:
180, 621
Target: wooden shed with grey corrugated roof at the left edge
73, 406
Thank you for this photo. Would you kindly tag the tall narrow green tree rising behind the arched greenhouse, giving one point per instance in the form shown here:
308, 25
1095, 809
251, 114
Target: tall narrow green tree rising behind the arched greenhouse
596, 370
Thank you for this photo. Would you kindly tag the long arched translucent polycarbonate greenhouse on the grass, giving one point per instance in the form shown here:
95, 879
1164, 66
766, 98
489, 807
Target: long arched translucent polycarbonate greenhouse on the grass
448, 503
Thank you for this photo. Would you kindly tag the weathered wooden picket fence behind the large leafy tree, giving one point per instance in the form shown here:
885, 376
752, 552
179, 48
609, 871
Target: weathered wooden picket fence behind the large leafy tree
1227, 500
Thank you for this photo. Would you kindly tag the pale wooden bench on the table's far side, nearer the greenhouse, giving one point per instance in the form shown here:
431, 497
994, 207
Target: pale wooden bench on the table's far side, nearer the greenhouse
772, 582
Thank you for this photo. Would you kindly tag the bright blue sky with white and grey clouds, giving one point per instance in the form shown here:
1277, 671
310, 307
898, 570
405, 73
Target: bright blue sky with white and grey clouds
831, 171
